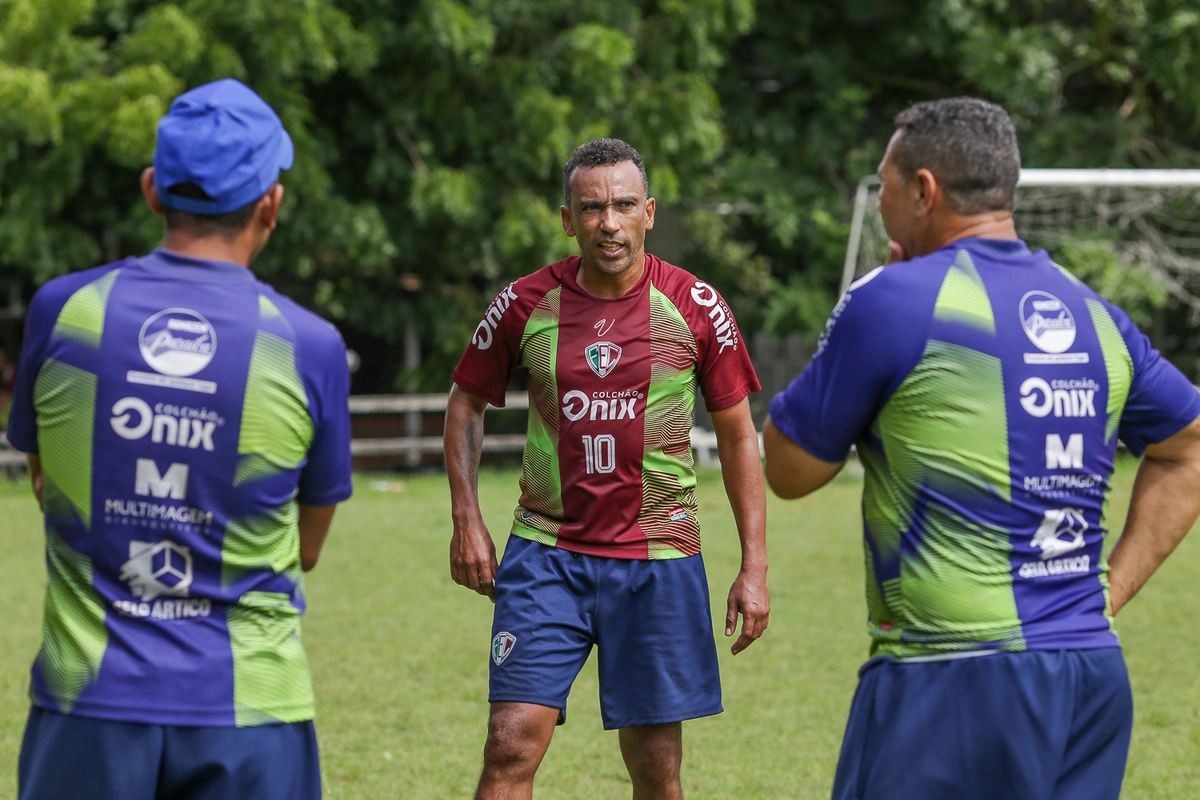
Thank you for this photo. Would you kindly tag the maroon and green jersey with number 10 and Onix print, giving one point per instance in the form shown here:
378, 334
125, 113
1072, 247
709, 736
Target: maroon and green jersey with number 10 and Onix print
608, 467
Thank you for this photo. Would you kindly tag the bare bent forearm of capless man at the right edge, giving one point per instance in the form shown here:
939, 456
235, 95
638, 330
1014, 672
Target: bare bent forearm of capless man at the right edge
1165, 507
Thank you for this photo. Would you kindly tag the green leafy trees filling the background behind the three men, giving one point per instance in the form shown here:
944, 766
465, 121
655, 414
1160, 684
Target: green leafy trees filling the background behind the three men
431, 133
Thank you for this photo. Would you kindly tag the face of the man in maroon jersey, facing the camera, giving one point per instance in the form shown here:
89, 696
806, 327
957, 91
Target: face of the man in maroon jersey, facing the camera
609, 215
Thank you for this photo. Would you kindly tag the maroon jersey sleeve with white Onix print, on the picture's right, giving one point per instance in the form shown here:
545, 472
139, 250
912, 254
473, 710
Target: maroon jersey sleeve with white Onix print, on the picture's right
727, 375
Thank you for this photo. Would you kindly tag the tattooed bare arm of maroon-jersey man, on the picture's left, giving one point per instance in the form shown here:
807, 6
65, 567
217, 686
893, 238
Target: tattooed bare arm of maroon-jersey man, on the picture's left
472, 550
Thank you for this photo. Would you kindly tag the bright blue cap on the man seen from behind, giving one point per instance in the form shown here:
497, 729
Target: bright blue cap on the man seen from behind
225, 140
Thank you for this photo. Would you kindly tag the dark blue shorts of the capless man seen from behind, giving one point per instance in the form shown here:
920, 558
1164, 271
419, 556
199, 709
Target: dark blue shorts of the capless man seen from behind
1036, 726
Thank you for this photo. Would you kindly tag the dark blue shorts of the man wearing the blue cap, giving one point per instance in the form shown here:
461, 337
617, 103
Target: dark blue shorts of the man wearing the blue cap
65, 756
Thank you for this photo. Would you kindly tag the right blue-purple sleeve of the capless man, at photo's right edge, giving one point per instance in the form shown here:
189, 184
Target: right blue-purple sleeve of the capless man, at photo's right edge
1162, 401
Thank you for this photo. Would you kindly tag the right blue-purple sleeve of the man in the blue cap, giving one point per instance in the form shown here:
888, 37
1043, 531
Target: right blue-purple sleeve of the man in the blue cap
327, 476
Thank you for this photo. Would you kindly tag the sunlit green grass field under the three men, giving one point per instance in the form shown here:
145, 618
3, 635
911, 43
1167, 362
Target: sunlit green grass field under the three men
400, 654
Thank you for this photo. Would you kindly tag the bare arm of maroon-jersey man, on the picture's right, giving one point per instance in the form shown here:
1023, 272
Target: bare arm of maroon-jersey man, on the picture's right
737, 446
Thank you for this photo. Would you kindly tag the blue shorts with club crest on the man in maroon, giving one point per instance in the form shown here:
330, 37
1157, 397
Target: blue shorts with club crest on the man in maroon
651, 622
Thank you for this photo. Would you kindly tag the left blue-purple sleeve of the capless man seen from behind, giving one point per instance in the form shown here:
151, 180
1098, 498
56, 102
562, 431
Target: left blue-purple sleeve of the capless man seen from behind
869, 345
